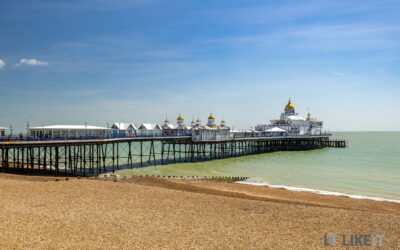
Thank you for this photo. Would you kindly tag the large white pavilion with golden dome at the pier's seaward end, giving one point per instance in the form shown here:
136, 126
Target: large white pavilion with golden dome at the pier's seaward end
291, 123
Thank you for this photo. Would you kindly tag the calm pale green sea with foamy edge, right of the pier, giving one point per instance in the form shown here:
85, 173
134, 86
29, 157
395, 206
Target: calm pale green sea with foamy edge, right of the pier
369, 166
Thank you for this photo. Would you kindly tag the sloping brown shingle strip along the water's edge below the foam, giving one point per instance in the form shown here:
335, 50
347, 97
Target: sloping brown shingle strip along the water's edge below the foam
264, 193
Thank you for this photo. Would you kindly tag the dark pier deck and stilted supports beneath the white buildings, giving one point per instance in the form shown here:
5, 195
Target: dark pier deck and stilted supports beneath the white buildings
93, 157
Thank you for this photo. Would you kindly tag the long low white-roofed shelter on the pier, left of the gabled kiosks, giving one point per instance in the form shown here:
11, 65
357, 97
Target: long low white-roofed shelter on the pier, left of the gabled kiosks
68, 131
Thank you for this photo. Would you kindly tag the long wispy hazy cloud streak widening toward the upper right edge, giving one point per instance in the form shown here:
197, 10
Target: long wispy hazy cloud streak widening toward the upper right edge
321, 37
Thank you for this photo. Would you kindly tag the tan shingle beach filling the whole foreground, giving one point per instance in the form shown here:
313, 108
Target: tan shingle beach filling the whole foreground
147, 212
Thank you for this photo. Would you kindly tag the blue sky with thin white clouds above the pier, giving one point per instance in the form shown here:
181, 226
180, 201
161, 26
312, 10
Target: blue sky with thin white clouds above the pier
99, 61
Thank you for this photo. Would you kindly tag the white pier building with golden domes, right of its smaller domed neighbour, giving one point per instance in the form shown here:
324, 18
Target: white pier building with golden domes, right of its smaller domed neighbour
211, 131
